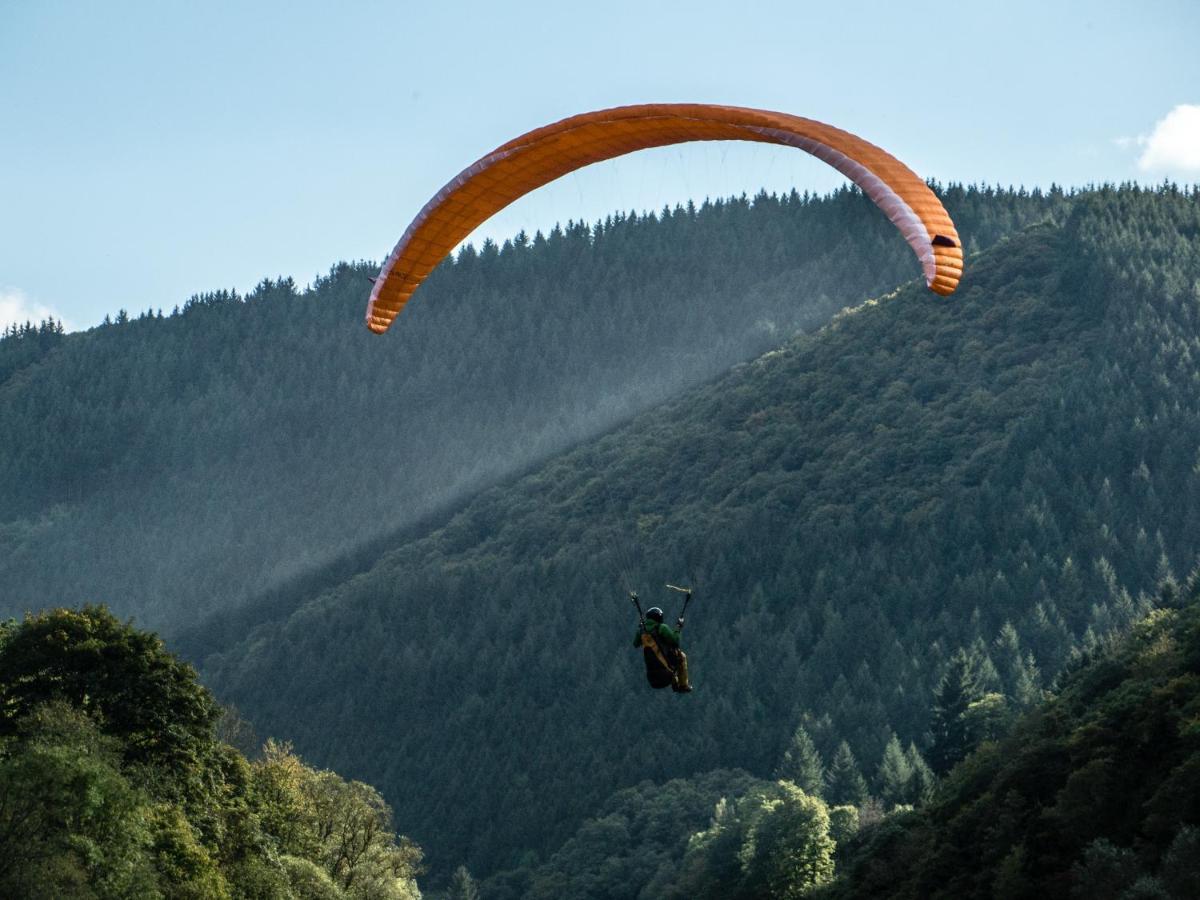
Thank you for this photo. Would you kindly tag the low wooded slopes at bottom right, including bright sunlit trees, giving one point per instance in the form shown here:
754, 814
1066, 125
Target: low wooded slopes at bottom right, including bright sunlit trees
1091, 795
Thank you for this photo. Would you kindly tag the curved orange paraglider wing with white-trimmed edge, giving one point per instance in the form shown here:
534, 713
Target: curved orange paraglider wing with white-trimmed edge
543, 155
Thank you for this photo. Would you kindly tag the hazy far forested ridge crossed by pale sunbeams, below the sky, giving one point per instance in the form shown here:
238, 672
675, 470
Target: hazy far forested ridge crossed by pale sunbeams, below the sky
173, 465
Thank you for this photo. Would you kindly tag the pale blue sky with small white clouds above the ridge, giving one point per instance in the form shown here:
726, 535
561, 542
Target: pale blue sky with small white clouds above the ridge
153, 151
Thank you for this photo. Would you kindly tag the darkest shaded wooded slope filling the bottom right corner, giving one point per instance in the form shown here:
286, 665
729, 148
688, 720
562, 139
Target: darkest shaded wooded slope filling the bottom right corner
1090, 796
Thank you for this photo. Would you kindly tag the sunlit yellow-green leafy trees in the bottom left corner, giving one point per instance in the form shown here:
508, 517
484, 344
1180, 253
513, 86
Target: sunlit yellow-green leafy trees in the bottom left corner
113, 784
